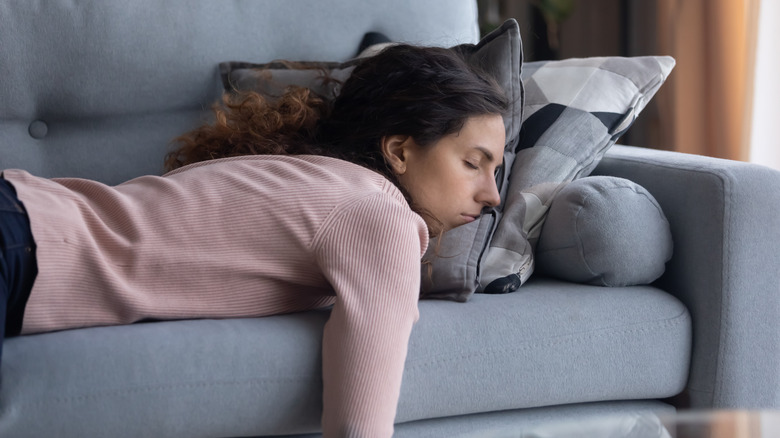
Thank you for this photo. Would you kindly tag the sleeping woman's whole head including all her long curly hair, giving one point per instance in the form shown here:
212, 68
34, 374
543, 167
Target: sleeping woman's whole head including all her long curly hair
418, 115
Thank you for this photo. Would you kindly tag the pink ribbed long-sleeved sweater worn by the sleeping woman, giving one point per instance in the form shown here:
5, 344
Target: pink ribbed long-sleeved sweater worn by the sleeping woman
241, 237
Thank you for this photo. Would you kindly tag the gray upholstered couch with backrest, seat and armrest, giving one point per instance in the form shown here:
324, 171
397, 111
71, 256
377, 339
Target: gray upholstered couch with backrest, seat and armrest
98, 89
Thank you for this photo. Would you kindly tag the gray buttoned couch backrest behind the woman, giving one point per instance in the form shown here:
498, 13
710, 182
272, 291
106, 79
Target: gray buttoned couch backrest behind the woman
97, 89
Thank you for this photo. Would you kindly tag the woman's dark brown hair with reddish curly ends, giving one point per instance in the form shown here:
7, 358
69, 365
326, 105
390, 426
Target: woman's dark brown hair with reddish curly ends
423, 92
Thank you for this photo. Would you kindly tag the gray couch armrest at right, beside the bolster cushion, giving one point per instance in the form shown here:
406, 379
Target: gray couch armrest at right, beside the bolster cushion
725, 221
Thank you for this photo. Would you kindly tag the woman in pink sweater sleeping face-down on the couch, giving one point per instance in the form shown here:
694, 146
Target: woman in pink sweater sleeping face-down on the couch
279, 206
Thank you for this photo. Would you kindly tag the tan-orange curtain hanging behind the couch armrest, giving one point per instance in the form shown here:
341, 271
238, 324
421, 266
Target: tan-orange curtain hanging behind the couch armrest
708, 105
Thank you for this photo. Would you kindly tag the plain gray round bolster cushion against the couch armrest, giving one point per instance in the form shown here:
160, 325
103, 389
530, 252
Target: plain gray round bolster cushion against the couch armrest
605, 231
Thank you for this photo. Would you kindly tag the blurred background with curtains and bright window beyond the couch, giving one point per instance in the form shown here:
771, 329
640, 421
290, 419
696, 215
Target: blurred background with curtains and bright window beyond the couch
721, 99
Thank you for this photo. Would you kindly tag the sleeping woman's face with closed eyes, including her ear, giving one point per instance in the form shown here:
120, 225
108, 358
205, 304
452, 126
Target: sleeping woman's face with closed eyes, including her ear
454, 178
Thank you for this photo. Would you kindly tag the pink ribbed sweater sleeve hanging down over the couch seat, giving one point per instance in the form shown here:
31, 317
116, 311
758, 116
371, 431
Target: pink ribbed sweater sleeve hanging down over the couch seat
371, 255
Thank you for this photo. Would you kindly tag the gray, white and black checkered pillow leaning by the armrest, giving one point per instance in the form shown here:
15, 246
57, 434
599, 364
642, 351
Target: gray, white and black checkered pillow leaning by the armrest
575, 109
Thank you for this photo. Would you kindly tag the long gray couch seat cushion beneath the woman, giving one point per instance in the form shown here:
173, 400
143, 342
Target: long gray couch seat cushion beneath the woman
550, 343
